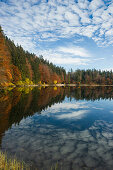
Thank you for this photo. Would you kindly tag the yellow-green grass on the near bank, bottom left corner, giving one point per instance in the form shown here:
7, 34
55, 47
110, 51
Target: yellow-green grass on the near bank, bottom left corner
11, 163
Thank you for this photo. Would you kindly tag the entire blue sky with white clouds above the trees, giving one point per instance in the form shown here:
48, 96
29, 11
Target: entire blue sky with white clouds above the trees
69, 33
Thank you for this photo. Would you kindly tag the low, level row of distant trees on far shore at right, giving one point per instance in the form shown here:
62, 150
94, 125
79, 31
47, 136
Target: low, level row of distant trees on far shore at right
90, 77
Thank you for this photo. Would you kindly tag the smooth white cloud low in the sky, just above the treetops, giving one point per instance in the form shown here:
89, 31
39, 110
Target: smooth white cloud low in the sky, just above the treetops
66, 55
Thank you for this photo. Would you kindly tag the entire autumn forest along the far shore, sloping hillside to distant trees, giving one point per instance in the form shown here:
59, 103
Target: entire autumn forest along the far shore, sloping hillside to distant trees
18, 66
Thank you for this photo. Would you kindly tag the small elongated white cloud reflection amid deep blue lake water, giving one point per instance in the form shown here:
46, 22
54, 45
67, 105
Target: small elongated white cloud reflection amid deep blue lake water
77, 114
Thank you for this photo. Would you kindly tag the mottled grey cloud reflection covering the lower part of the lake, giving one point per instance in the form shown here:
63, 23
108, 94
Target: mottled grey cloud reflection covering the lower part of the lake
47, 144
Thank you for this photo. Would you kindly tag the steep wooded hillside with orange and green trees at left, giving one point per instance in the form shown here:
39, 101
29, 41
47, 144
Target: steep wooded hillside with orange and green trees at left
16, 64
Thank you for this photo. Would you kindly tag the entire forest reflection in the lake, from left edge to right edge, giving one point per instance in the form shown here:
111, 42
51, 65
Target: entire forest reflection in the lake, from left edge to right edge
21, 103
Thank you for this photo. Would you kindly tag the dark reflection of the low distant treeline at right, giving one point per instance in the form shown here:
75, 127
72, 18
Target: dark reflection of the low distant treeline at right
90, 92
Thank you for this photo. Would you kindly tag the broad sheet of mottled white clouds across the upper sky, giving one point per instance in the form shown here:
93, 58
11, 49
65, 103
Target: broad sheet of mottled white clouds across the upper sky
57, 19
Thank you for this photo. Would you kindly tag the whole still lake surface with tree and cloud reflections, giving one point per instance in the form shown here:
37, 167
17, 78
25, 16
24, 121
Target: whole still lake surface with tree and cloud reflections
71, 128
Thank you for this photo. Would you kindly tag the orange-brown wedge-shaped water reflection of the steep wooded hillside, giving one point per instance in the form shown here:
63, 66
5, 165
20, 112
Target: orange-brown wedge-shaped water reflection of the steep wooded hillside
18, 104
